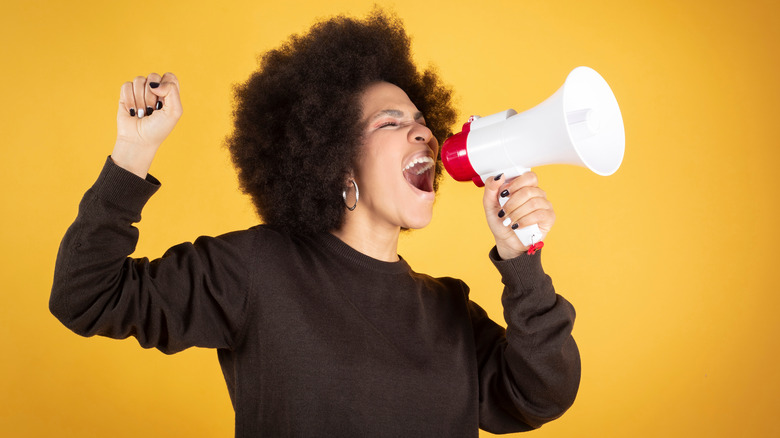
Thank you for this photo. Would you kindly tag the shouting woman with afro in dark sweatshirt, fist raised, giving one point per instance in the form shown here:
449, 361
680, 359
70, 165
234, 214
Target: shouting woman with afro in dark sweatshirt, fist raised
320, 328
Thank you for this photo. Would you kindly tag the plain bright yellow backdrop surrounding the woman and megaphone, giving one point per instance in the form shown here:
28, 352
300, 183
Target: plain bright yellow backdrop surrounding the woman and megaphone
670, 263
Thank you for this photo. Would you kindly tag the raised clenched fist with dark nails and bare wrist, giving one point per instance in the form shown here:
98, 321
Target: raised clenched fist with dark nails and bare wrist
148, 110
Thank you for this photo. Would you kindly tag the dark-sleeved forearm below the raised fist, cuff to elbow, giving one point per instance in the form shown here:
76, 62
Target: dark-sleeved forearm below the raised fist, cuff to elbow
92, 258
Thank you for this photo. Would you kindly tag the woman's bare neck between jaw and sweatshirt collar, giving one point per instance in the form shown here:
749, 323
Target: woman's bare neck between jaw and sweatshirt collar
380, 243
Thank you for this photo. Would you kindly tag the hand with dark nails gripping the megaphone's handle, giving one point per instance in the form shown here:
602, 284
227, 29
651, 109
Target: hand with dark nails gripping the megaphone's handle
527, 204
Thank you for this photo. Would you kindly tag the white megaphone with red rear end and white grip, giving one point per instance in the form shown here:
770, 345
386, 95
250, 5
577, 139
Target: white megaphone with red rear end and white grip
580, 124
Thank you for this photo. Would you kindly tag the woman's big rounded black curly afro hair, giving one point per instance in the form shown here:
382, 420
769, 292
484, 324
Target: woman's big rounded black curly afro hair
297, 122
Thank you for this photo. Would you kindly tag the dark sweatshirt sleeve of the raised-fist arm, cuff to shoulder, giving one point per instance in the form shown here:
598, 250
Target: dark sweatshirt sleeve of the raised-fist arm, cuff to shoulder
194, 295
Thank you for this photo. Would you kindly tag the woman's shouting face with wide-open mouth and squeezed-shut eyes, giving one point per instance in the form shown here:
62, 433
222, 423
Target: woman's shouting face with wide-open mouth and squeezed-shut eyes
395, 170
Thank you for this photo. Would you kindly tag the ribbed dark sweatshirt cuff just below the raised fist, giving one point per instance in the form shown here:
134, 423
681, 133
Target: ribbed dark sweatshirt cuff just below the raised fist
124, 189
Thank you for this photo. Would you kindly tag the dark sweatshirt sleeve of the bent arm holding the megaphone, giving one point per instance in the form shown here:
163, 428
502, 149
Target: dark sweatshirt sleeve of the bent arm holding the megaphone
529, 373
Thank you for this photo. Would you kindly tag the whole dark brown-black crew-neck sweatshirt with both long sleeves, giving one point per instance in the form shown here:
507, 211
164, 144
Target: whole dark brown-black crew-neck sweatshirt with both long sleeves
315, 338
